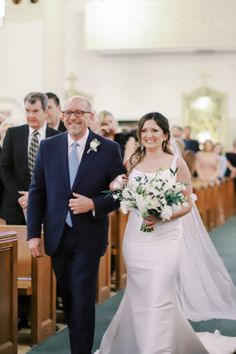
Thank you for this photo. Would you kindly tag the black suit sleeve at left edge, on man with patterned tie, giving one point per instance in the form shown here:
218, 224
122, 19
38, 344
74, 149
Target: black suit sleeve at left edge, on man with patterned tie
7, 165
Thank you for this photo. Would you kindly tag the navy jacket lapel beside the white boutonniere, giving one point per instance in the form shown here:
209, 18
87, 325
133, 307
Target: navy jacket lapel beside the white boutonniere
87, 158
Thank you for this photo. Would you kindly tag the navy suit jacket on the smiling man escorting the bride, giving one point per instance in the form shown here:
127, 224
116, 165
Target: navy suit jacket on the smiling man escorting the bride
50, 191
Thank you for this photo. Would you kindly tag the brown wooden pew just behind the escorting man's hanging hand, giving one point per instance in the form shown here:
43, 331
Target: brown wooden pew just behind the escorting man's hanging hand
35, 278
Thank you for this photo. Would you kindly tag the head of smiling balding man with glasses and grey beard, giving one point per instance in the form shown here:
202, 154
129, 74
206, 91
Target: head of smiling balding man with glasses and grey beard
76, 116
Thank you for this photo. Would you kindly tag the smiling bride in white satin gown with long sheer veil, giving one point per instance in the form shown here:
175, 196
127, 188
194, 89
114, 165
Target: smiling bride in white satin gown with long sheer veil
161, 291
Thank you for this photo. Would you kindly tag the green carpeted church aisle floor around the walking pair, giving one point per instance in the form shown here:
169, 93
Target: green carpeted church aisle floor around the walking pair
224, 239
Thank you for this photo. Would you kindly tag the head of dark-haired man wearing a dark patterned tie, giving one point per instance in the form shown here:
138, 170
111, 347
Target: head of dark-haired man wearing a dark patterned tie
36, 109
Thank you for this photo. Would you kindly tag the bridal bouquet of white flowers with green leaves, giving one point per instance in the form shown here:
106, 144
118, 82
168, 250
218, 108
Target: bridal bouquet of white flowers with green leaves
159, 196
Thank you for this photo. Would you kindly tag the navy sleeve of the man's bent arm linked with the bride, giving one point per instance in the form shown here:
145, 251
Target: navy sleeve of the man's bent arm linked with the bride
104, 205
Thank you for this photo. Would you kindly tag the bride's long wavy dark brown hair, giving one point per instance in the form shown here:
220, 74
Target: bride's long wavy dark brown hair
140, 151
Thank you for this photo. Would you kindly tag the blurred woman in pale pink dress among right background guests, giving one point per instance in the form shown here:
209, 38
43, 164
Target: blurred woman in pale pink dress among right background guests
207, 163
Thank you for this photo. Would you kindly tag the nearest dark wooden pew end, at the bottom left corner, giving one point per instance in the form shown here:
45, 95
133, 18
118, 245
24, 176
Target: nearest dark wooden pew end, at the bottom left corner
8, 293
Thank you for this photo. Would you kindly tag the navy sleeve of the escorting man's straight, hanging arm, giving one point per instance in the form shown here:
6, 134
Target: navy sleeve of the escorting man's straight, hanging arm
37, 199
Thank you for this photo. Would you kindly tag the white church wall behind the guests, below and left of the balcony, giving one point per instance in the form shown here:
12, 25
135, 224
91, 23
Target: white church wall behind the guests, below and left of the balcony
38, 52
